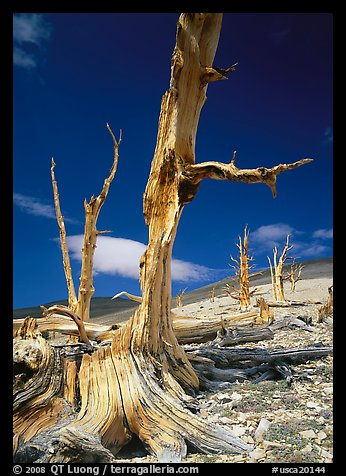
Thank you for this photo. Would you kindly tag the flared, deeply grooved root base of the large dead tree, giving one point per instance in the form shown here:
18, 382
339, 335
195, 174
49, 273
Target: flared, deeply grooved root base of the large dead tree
121, 392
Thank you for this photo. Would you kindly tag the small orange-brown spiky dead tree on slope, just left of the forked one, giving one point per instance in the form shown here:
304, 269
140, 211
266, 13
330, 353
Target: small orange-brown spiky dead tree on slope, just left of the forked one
239, 287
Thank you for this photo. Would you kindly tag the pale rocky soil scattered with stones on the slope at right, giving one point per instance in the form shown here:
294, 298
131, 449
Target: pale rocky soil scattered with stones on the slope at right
286, 423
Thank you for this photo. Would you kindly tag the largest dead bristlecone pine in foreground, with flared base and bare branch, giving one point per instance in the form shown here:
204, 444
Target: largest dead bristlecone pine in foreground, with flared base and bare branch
85, 408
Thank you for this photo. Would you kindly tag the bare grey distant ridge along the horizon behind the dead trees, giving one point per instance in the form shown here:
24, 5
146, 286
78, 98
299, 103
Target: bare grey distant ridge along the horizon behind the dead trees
104, 308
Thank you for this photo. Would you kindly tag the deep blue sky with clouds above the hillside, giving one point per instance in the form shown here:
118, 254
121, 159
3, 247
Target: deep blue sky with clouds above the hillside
74, 72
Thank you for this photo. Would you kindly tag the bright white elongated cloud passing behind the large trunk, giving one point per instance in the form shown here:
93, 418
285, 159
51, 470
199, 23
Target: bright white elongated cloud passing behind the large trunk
121, 256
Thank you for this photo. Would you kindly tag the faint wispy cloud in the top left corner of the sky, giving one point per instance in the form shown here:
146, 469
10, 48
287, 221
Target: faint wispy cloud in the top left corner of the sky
28, 29
